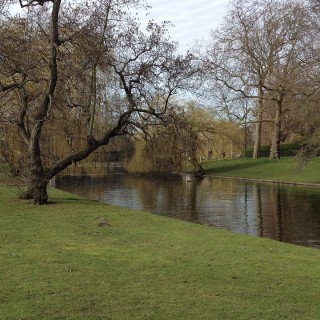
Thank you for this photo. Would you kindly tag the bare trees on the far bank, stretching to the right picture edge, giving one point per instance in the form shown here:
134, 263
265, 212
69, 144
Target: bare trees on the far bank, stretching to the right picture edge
262, 68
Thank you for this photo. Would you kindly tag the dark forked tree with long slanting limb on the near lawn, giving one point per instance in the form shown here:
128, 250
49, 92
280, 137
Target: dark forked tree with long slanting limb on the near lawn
86, 64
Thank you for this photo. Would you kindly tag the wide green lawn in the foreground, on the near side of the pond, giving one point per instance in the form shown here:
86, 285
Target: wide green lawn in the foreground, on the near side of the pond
57, 263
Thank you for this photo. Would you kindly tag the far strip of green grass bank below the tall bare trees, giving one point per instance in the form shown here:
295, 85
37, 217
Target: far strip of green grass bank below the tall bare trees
286, 169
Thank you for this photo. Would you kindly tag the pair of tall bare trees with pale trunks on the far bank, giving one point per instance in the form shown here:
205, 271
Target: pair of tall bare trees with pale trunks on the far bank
258, 53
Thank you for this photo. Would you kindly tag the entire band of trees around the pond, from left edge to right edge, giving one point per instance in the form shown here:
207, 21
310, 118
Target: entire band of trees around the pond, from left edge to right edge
76, 77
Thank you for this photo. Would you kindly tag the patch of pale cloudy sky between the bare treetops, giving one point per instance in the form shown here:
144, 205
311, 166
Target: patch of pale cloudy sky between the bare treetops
193, 20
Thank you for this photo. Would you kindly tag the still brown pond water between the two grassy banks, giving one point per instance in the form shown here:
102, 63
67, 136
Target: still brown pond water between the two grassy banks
280, 212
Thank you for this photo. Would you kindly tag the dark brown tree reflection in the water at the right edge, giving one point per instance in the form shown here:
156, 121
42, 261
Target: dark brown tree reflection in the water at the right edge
287, 214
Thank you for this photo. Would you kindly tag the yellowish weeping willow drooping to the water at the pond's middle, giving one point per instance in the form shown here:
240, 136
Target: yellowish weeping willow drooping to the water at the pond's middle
177, 139
